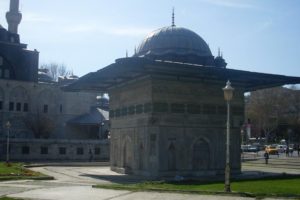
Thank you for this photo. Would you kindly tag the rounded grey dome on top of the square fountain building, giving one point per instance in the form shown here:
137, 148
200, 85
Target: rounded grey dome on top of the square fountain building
177, 44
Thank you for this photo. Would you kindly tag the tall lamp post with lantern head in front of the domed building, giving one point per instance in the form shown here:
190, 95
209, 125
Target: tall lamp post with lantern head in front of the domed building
228, 92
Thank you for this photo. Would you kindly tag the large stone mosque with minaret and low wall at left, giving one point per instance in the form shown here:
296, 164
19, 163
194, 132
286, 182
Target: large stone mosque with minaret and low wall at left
43, 121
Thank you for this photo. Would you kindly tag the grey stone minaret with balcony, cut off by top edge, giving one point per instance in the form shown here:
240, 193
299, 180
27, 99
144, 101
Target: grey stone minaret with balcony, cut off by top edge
13, 16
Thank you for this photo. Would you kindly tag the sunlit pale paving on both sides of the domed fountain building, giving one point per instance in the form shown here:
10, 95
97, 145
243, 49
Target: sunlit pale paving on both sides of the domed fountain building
75, 182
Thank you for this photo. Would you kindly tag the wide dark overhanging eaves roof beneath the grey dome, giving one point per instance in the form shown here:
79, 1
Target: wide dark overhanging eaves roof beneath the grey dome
131, 68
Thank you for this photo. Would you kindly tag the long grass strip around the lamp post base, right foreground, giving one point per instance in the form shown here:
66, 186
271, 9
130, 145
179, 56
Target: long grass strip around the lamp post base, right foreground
284, 186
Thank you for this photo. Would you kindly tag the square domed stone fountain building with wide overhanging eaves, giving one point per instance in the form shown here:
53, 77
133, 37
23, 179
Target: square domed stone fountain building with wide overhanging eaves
167, 109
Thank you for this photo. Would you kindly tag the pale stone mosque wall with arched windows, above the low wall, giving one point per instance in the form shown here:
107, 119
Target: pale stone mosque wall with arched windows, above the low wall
30, 98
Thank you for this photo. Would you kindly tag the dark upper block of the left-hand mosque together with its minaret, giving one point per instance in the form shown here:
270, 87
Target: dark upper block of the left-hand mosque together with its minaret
16, 61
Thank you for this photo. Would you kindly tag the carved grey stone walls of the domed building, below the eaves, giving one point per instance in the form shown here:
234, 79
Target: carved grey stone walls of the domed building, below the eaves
165, 127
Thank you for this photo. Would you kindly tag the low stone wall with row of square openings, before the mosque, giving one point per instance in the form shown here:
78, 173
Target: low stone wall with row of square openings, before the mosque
55, 150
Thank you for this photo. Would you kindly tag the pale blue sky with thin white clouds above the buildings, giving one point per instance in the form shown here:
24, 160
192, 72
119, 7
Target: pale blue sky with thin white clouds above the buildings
85, 36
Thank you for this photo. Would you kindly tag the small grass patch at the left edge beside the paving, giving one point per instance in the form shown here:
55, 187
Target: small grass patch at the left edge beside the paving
15, 171
